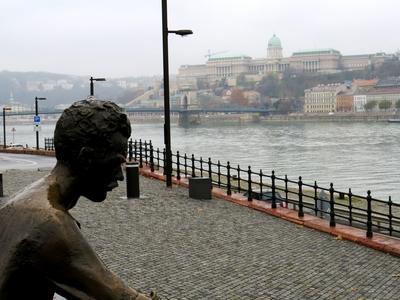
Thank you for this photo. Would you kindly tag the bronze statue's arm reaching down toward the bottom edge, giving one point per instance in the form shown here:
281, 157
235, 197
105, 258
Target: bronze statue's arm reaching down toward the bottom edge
74, 268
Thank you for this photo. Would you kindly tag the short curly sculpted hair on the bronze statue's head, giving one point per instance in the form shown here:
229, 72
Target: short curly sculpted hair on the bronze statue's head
88, 123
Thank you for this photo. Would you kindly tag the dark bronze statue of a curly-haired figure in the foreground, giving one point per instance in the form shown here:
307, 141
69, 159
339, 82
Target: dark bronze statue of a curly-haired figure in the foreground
42, 250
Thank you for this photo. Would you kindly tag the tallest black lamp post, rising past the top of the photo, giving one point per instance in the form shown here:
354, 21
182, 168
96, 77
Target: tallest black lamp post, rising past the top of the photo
167, 124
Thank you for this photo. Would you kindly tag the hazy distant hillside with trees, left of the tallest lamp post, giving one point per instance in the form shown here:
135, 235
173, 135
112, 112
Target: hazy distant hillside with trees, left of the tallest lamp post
65, 89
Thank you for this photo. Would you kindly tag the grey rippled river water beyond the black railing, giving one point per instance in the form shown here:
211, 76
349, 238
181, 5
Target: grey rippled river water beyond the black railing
362, 156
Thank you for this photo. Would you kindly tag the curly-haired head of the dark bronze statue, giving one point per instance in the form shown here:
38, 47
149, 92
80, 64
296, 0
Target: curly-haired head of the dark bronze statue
91, 138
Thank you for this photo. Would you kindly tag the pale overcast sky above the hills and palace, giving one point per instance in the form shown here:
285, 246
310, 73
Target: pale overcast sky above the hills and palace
123, 37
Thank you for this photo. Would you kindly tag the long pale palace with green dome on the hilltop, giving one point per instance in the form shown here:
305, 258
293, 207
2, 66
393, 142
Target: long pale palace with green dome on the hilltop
229, 67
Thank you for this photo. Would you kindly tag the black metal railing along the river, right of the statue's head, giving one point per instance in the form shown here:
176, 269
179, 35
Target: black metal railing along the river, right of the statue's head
365, 212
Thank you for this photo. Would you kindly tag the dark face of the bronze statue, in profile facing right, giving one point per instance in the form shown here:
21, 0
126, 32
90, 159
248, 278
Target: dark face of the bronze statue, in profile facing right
104, 170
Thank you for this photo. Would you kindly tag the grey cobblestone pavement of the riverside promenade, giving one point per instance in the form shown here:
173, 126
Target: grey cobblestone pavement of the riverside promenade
199, 249
